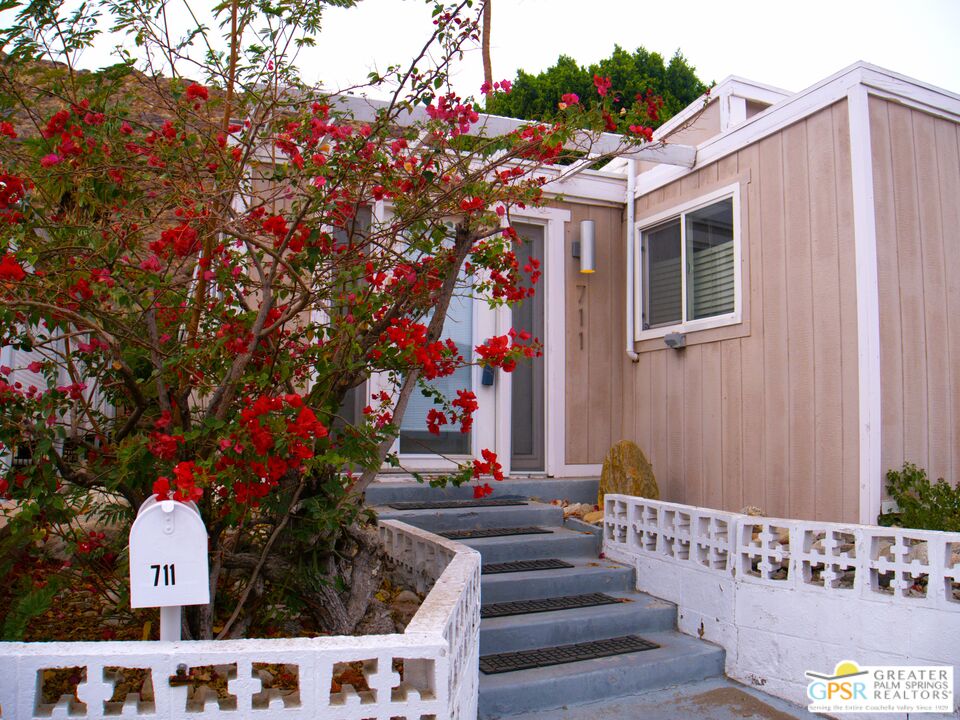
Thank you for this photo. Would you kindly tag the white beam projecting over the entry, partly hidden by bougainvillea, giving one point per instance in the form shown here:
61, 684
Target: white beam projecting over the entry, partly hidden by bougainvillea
495, 125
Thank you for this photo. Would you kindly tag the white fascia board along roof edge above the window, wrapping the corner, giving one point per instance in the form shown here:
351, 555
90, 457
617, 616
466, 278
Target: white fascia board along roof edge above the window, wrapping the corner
878, 81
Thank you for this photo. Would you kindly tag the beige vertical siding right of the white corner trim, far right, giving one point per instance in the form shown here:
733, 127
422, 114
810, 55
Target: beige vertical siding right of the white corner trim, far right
916, 177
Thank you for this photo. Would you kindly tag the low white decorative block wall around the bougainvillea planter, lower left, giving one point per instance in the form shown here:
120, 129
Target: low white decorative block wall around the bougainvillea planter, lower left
439, 649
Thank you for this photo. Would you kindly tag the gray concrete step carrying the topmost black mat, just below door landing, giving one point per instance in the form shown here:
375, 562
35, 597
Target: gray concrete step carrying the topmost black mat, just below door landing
477, 517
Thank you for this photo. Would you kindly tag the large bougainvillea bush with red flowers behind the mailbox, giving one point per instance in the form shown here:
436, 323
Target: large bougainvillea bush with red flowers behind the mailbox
201, 257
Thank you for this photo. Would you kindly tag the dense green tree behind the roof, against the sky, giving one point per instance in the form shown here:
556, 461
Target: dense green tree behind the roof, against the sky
536, 97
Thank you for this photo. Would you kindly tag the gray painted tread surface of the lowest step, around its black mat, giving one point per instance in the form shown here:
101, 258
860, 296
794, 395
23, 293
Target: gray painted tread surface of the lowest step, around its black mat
674, 646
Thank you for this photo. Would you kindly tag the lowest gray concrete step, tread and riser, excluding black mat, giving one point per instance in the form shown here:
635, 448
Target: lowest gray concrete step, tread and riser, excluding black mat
680, 659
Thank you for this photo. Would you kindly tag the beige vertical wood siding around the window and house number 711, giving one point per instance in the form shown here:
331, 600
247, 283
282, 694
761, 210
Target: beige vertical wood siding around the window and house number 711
766, 415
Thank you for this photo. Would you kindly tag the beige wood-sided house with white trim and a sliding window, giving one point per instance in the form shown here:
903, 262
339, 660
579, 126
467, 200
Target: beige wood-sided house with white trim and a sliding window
798, 251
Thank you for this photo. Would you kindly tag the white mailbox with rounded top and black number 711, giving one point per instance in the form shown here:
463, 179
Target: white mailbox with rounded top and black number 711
168, 556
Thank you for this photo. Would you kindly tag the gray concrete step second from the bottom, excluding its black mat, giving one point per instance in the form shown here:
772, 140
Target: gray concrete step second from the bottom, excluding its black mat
641, 614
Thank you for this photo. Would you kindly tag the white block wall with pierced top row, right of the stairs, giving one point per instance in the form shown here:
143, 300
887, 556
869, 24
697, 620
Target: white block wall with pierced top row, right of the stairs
786, 596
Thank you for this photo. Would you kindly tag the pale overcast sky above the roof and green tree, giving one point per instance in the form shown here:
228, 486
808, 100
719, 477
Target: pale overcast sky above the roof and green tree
788, 45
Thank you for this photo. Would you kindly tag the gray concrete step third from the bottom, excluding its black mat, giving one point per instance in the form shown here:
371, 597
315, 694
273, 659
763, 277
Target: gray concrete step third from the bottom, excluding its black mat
586, 576
